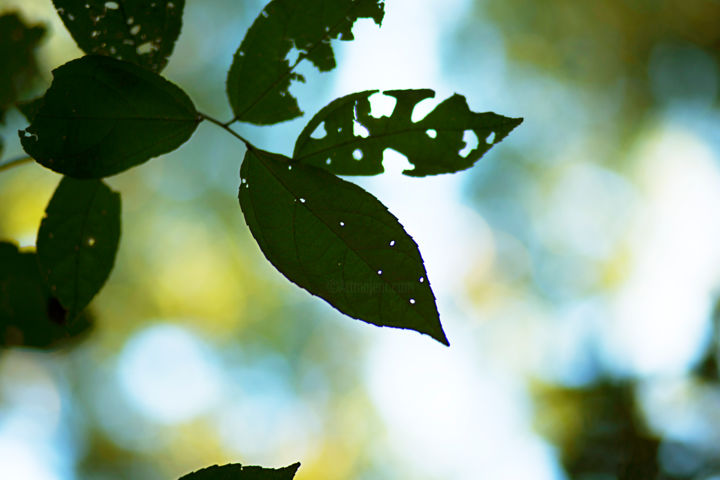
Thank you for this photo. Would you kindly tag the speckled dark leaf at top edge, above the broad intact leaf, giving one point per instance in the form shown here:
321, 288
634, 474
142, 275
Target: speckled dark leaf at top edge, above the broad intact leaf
138, 31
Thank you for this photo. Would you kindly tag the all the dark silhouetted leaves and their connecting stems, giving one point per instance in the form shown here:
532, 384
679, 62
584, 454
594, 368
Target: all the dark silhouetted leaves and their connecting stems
111, 110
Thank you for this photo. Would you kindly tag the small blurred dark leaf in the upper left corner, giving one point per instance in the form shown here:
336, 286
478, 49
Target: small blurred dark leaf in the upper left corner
18, 67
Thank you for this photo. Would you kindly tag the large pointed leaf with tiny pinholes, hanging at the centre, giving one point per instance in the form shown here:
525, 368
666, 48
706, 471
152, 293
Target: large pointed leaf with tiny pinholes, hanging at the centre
338, 242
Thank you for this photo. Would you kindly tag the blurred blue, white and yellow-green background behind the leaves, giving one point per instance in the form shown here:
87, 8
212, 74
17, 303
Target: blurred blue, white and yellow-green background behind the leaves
576, 268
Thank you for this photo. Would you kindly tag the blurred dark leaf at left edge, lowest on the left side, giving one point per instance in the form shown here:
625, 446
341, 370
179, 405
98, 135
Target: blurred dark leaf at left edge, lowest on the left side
29, 315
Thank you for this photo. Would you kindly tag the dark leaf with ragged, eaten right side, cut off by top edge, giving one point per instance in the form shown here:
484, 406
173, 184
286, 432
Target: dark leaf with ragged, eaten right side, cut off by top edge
259, 79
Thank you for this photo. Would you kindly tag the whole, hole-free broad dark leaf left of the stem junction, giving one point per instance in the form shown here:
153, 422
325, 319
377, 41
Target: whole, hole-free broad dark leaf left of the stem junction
102, 116
